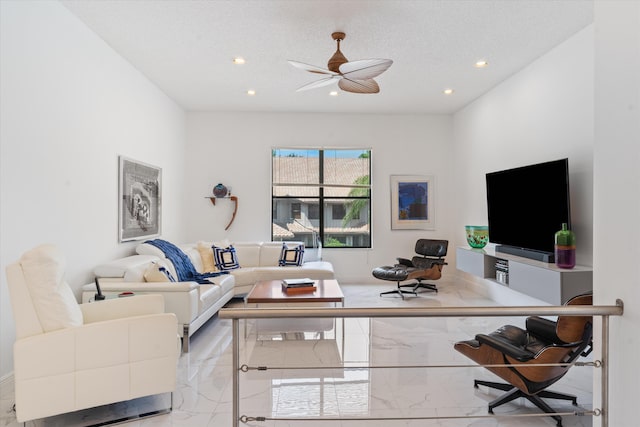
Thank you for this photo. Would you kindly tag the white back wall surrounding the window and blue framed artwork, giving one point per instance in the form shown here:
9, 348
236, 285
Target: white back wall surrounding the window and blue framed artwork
235, 149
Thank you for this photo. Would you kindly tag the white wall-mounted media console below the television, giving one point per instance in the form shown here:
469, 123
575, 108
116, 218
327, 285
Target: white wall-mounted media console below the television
538, 279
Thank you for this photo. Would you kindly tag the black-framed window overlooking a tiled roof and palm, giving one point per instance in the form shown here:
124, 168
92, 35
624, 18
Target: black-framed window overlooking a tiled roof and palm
322, 194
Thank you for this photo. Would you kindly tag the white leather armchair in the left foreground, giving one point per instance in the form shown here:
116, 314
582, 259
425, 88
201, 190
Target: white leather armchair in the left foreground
69, 357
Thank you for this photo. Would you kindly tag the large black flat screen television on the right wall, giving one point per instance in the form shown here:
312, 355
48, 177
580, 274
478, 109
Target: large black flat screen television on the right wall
527, 206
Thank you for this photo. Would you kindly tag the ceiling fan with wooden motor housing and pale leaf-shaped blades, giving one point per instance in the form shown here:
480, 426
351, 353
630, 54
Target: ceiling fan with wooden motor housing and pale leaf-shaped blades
354, 76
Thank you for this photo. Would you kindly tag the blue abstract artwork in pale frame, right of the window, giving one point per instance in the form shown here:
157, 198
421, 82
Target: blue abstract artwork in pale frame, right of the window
412, 202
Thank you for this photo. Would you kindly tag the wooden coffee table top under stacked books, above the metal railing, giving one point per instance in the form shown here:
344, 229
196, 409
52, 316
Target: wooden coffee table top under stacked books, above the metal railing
270, 292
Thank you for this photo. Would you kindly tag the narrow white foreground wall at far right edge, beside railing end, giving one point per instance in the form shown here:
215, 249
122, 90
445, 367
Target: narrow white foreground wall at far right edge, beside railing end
617, 194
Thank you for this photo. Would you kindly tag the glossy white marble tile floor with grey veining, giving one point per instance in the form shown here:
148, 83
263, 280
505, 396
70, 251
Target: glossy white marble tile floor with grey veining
336, 387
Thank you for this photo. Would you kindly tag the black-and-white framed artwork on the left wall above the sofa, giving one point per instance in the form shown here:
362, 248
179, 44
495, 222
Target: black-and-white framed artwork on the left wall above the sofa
139, 200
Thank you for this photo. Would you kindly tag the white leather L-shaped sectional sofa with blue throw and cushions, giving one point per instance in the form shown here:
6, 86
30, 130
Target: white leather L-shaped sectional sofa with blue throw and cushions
195, 303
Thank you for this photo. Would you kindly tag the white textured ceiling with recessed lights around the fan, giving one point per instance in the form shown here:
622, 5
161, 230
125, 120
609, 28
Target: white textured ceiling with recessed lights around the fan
186, 48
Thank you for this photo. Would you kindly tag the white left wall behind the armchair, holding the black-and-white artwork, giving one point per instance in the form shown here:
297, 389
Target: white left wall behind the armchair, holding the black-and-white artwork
69, 107
